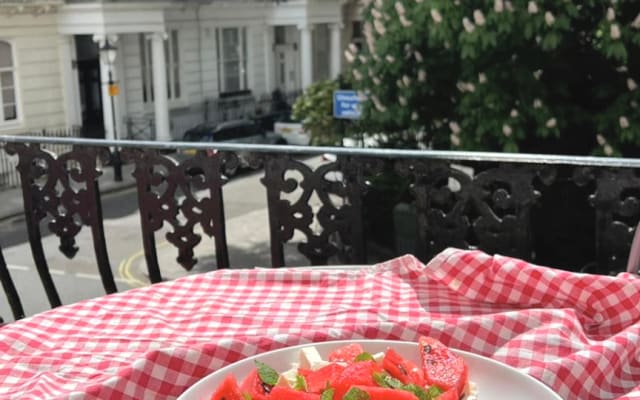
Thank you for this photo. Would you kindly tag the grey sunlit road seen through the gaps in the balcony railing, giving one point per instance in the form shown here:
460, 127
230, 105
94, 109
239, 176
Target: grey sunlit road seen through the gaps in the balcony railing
77, 279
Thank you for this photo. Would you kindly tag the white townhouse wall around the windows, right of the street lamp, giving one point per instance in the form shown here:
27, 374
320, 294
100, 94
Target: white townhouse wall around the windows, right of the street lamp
196, 26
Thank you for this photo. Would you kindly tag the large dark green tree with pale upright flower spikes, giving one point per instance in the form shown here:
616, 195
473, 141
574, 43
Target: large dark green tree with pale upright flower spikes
503, 75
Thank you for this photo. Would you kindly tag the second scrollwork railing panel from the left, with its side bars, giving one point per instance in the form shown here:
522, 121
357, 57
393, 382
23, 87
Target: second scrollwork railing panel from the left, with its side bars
161, 180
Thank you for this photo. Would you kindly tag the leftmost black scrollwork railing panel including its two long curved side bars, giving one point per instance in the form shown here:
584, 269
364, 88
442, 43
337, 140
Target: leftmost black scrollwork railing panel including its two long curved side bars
63, 188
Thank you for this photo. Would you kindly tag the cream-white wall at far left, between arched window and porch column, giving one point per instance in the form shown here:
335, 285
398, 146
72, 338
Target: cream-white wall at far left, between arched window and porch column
36, 46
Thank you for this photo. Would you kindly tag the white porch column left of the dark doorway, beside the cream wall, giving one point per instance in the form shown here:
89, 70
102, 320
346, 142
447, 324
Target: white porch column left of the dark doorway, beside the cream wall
71, 90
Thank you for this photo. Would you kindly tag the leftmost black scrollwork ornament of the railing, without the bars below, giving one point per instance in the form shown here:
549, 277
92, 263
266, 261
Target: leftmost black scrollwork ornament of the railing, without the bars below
61, 187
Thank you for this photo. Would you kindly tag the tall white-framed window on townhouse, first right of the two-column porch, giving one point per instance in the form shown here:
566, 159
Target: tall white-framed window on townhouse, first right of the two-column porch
232, 59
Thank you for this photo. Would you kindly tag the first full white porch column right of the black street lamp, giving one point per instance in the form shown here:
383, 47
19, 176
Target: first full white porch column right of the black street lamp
160, 97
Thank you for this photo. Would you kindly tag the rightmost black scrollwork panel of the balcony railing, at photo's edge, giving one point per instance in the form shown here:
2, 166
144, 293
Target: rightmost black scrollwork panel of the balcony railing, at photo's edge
617, 203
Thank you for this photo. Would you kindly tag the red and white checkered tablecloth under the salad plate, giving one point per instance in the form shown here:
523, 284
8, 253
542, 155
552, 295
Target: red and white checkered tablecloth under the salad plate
577, 333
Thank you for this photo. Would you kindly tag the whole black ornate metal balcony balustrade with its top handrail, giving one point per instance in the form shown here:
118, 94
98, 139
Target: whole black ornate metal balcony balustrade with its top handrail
577, 213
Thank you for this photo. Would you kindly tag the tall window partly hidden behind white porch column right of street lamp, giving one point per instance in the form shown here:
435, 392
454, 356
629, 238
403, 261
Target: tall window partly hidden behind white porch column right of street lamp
172, 58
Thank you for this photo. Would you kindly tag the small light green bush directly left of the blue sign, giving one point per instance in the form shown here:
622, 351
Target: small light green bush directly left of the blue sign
315, 109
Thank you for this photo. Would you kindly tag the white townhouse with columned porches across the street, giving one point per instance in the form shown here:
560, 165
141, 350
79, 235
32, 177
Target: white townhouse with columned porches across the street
175, 63
